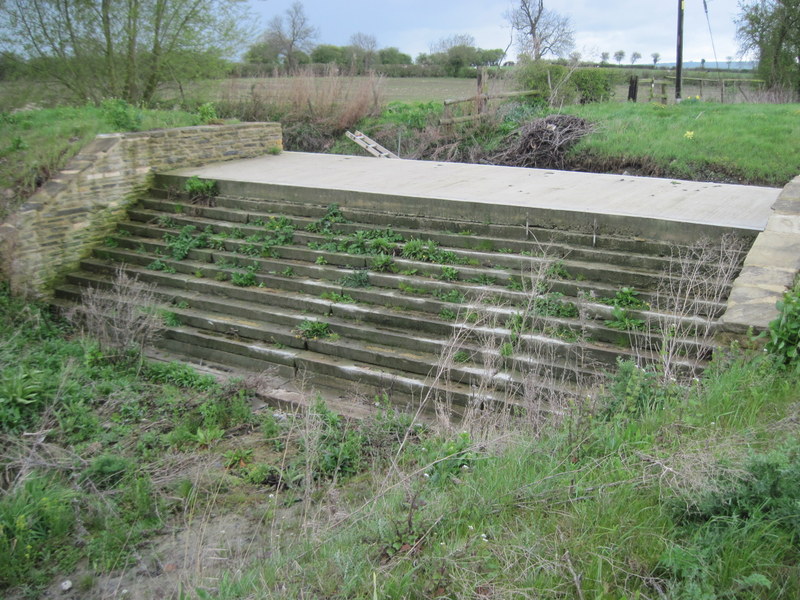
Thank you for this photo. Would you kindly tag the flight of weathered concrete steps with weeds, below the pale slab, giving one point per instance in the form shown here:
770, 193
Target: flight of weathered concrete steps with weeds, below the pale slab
516, 304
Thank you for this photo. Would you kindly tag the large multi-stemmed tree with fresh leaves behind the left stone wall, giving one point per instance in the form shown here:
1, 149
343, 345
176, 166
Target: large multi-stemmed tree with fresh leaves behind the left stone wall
120, 48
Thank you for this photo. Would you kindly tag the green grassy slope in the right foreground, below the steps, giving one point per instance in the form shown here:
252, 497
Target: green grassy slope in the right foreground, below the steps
594, 508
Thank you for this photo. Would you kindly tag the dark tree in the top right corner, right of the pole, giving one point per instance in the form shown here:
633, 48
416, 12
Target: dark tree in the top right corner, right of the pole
771, 30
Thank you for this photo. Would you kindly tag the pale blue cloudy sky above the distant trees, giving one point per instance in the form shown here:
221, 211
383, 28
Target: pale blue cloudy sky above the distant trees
643, 26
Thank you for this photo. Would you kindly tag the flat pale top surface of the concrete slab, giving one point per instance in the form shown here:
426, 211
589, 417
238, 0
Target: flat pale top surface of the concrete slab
722, 205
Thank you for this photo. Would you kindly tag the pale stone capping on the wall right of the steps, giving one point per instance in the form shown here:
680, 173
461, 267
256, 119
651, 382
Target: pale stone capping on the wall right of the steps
770, 268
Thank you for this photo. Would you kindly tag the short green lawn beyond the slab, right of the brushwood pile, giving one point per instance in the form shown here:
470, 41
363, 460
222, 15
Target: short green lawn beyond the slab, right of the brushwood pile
738, 143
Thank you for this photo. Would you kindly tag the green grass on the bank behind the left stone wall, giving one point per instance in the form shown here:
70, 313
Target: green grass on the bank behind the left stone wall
37, 143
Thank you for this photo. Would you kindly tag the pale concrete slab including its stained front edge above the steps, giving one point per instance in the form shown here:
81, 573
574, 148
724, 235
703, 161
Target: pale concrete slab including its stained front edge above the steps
650, 207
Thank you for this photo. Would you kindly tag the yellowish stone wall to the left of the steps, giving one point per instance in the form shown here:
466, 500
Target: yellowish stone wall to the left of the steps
80, 206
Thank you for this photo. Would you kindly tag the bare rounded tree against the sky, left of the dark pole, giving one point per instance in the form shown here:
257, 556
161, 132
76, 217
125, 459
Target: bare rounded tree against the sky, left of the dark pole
541, 31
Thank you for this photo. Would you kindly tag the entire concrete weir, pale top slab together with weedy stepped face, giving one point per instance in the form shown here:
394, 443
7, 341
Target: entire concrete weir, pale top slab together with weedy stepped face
522, 279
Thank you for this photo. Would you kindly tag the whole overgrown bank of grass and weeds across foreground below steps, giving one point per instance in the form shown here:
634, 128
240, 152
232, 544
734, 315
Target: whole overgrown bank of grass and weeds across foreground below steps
652, 489
